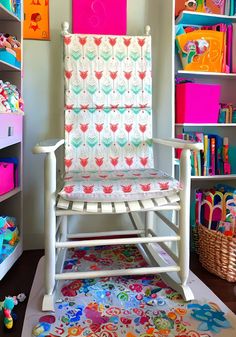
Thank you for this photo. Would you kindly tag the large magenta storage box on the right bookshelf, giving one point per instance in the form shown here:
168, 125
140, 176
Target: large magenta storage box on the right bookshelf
197, 103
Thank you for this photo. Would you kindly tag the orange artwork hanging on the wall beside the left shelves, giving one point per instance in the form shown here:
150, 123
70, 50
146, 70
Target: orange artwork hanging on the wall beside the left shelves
36, 19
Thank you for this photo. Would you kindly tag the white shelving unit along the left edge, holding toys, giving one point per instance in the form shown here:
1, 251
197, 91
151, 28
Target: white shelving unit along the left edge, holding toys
12, 146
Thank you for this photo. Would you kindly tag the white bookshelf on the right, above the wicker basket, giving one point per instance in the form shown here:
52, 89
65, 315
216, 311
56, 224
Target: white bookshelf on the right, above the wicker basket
228, 89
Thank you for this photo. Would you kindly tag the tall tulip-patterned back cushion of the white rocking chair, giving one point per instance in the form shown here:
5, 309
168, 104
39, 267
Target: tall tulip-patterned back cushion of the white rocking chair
108, 115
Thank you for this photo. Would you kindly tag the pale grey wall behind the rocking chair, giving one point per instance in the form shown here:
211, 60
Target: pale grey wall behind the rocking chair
43, 95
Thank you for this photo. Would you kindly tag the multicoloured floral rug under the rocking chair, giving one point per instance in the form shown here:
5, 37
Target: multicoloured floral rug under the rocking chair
126, 306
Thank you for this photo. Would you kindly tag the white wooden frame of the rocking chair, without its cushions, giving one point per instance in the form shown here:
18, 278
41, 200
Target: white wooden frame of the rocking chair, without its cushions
144, 235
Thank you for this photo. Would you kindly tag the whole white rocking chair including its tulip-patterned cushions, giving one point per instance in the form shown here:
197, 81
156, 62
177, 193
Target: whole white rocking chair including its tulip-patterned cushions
109, 162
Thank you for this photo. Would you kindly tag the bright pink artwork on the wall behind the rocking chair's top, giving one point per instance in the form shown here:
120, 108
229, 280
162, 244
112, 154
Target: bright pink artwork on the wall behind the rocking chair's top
99, 17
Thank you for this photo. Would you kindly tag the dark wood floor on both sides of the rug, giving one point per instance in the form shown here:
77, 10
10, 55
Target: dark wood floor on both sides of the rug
19, 280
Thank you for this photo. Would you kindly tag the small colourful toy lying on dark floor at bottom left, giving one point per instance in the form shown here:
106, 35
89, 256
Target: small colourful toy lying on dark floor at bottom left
7, 306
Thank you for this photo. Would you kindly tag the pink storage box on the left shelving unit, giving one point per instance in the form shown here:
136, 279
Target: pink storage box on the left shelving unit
6, 177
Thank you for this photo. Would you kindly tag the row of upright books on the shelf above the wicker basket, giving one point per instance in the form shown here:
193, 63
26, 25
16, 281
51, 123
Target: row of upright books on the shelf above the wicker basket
213, 159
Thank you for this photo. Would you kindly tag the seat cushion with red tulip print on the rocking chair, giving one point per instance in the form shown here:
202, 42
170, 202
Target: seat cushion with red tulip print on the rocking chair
120, 185
